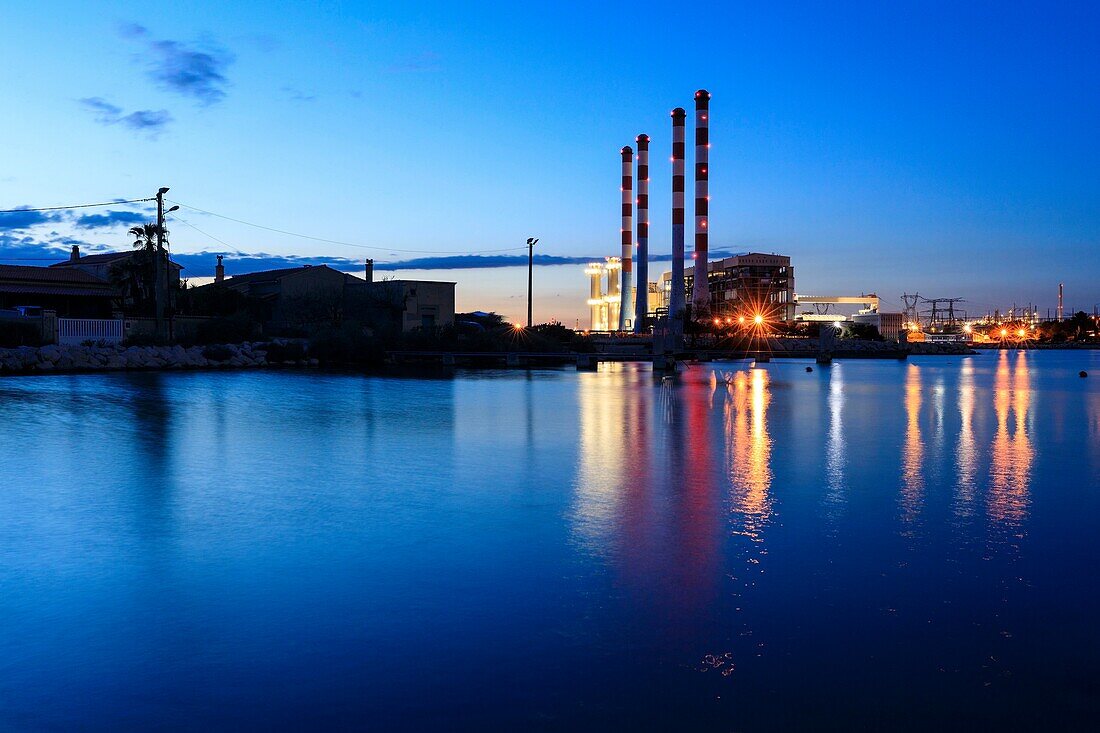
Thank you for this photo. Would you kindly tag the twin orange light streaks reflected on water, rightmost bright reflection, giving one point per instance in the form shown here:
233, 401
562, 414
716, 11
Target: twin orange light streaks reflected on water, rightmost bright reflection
1013, 453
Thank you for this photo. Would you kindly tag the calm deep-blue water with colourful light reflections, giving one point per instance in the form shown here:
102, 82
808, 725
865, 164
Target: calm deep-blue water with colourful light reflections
877, 544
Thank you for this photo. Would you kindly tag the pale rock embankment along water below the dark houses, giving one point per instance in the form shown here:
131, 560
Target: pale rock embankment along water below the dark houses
53, 359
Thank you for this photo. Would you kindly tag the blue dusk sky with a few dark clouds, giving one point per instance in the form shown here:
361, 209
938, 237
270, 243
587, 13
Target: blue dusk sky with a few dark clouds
944, 148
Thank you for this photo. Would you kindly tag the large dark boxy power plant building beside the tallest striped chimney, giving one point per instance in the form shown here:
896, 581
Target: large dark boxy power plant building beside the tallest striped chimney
754, 281
